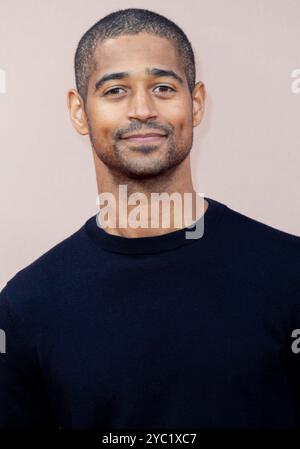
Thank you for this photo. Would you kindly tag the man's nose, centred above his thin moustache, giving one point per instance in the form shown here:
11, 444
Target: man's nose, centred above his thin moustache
141, 106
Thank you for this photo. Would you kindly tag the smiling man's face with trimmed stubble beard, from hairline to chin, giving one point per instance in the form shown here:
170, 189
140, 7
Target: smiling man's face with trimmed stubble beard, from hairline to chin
139, 102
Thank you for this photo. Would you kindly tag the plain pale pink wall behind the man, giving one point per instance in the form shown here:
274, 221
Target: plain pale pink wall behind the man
245, 153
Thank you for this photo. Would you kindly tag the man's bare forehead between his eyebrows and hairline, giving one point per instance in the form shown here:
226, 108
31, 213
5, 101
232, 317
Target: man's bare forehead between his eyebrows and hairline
135, 52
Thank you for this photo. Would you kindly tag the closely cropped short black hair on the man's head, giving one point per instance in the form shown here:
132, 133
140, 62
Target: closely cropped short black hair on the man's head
125, 22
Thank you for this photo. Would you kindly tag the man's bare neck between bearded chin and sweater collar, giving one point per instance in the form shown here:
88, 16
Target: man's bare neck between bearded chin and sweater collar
130, 208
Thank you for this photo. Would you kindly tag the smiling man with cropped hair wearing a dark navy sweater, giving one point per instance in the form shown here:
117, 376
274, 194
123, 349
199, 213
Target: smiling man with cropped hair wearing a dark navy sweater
141, 327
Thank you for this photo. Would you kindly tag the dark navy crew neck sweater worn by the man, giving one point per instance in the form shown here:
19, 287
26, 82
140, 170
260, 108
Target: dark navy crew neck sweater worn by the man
104, 331
